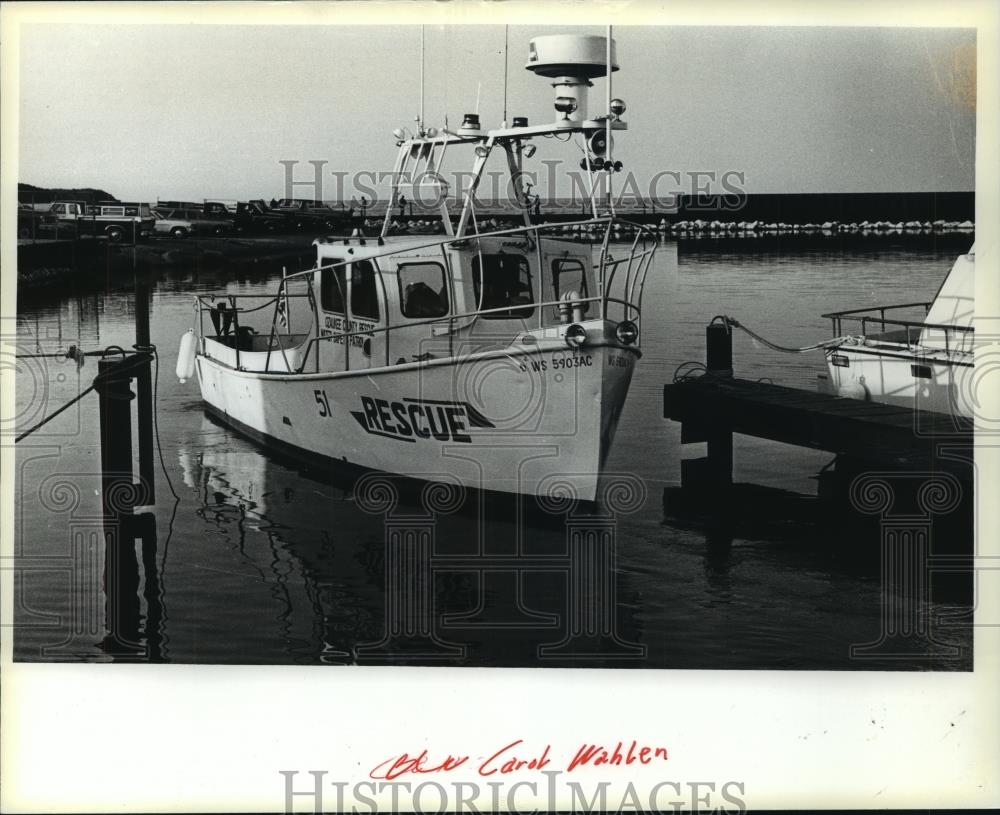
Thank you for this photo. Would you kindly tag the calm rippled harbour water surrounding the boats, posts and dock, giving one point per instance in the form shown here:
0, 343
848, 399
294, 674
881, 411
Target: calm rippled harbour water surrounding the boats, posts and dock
259, 562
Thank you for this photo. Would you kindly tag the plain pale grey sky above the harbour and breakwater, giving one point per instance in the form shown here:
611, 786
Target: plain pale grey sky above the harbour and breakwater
208, 111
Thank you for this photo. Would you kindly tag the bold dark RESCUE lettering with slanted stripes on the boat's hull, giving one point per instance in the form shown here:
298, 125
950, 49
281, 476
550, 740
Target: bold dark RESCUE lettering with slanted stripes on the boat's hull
413, 419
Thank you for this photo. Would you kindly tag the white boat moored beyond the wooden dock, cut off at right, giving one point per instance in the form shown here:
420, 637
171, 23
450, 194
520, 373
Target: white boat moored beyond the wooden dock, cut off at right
925, 362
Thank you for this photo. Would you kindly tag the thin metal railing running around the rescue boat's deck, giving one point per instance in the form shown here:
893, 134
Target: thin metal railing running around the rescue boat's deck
629, 270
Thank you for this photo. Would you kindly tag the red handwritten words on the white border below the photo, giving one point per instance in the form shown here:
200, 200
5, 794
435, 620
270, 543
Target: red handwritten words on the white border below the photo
509, 760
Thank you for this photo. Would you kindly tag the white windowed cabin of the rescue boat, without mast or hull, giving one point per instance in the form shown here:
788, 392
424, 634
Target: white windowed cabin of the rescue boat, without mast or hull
421, 303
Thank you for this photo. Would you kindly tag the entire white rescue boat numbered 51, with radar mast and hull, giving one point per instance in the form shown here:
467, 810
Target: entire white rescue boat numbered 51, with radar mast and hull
493, 360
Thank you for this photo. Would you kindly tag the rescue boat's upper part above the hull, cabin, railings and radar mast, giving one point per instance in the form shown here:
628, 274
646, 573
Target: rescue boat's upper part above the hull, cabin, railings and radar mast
402, 299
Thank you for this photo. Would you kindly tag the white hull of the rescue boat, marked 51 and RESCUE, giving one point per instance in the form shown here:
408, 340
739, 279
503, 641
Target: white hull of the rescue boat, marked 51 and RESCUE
536, 421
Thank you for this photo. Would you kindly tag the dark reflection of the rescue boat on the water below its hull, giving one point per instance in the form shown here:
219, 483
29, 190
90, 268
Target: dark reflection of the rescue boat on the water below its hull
374, 575
